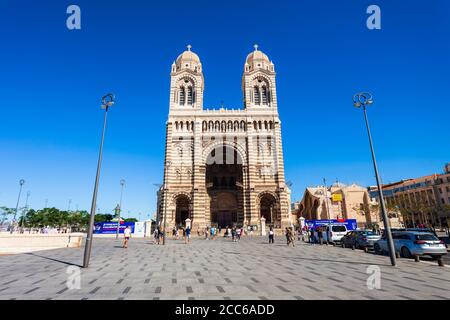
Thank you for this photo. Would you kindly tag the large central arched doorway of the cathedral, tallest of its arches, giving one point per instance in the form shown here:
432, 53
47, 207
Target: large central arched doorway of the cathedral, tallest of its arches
224, 184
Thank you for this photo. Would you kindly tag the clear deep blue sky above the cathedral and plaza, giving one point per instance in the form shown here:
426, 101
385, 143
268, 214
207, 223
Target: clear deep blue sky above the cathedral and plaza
52, 79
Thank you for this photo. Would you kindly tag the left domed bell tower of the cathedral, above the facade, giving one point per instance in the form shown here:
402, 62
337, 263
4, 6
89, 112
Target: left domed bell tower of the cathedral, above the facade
187, 83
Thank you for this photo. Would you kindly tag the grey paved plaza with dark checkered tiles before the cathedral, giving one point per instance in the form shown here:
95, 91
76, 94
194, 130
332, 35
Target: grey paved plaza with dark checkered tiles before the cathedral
219, 269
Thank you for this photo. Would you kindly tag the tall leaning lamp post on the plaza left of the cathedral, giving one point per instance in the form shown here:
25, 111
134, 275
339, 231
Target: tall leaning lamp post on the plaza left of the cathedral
108, 102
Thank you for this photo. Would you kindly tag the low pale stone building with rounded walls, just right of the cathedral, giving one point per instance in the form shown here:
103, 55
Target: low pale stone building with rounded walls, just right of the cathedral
339, 201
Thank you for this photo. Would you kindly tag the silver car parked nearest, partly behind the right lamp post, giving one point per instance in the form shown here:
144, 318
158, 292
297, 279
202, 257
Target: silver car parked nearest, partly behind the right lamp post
412, 243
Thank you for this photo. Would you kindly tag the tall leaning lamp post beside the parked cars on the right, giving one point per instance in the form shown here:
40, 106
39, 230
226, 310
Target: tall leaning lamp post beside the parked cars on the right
364, 99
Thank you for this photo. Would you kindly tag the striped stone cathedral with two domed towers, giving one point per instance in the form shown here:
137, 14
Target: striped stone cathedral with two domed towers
223, 167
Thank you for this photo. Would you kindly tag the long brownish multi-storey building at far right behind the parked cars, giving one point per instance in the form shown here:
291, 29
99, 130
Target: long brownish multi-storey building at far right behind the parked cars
424, 200
